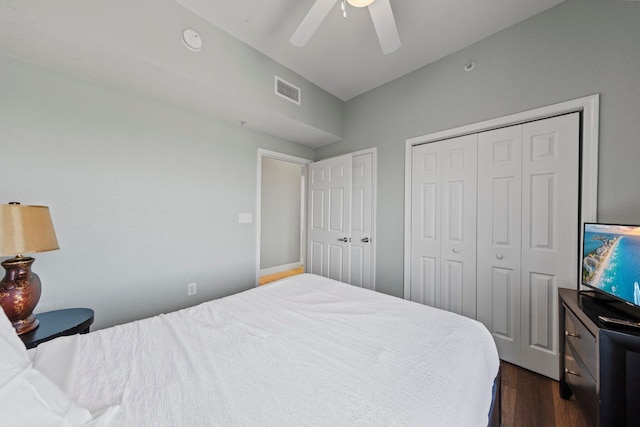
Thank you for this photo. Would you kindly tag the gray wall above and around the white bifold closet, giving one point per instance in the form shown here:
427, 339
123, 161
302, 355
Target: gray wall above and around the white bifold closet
578, 48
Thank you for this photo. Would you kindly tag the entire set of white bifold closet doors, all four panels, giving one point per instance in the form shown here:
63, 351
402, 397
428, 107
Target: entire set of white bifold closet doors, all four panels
494, 232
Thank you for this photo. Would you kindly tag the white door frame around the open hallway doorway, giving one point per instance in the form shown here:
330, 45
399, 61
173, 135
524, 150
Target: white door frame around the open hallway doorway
262, 153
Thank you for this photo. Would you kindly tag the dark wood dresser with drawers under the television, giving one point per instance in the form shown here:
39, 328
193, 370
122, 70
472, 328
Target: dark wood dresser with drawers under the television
599, 363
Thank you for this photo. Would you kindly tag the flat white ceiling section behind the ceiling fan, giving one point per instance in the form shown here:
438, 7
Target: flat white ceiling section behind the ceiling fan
343, 57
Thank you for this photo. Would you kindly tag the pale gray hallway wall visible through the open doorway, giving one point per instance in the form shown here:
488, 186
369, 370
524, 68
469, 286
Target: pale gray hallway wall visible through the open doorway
280, 213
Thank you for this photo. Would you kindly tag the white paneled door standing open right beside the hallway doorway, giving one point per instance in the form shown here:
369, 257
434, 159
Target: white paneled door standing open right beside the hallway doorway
329, 218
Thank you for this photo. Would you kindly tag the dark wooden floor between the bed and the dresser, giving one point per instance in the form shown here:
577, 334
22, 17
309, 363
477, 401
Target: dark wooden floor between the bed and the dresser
532, 400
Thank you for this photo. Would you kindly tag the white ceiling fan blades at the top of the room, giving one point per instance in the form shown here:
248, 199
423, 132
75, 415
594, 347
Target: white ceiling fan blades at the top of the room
381, 15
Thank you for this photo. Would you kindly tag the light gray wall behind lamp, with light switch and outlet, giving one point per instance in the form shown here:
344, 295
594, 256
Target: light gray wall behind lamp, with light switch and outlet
144, 196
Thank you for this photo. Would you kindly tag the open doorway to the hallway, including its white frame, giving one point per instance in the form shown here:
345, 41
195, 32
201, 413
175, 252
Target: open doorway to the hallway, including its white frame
281, 207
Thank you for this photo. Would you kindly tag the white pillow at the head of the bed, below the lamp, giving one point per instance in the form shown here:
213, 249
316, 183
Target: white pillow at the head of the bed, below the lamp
28, 398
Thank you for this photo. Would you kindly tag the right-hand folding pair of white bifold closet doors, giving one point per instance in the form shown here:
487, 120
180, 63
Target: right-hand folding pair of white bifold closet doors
528, 203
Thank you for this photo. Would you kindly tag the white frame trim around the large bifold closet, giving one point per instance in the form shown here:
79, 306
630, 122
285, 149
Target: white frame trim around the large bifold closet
590, 108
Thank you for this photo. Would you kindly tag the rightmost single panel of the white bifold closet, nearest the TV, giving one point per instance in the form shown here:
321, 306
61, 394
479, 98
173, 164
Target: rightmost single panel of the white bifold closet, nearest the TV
550, 197
